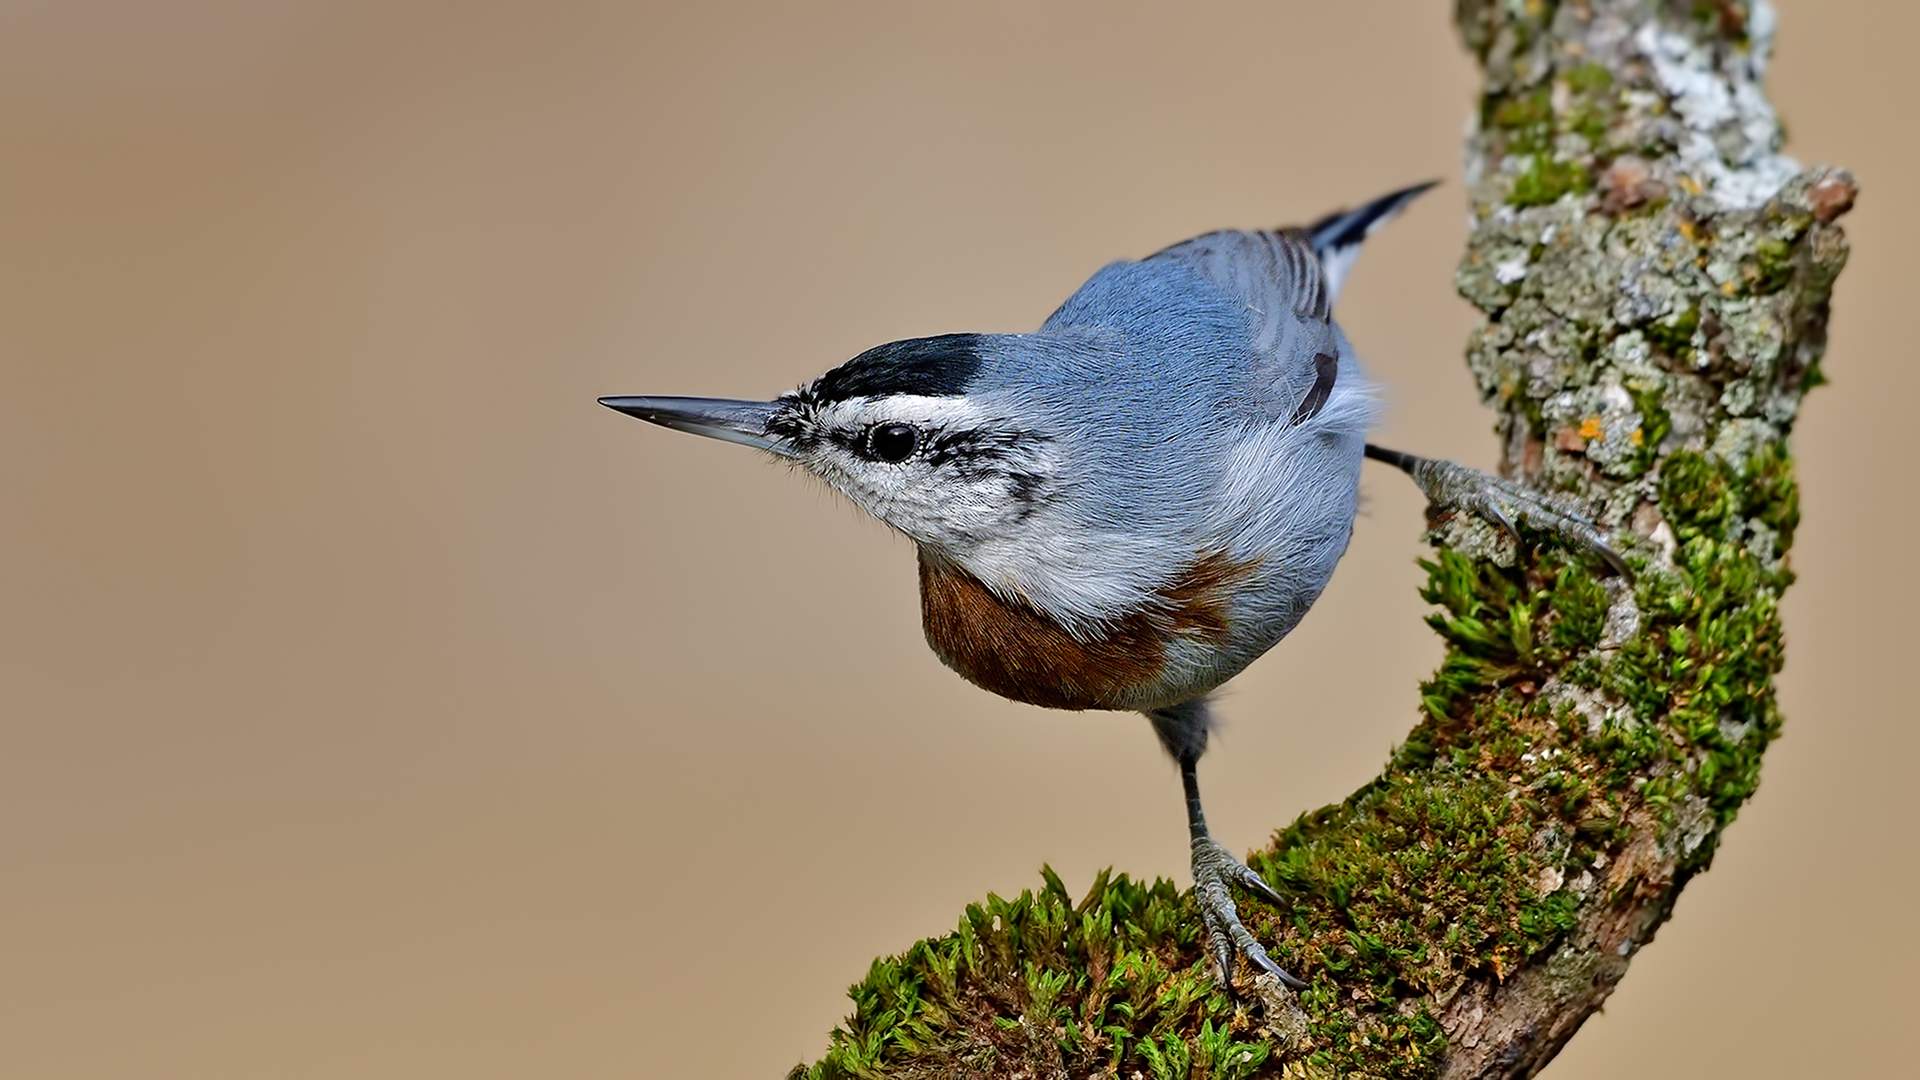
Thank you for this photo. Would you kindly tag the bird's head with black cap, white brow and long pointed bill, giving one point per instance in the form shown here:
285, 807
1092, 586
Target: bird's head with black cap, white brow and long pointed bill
903, 431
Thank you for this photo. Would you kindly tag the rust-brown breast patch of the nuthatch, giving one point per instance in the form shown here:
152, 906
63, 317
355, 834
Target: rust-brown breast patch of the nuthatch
1015, 650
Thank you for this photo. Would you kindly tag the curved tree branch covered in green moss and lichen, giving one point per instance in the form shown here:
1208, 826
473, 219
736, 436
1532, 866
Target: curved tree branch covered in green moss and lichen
1656, 285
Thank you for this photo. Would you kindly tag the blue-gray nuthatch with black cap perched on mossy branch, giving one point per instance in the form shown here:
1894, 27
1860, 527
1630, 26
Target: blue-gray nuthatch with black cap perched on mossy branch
1128, 506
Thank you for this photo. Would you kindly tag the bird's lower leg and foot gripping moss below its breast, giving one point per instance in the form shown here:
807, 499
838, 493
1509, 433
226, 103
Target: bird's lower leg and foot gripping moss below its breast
1184, 731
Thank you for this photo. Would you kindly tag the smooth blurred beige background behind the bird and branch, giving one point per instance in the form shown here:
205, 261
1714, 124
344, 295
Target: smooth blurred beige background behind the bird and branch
375, 704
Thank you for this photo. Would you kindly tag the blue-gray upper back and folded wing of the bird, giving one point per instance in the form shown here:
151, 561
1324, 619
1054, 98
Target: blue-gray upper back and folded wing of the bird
1163, 368
